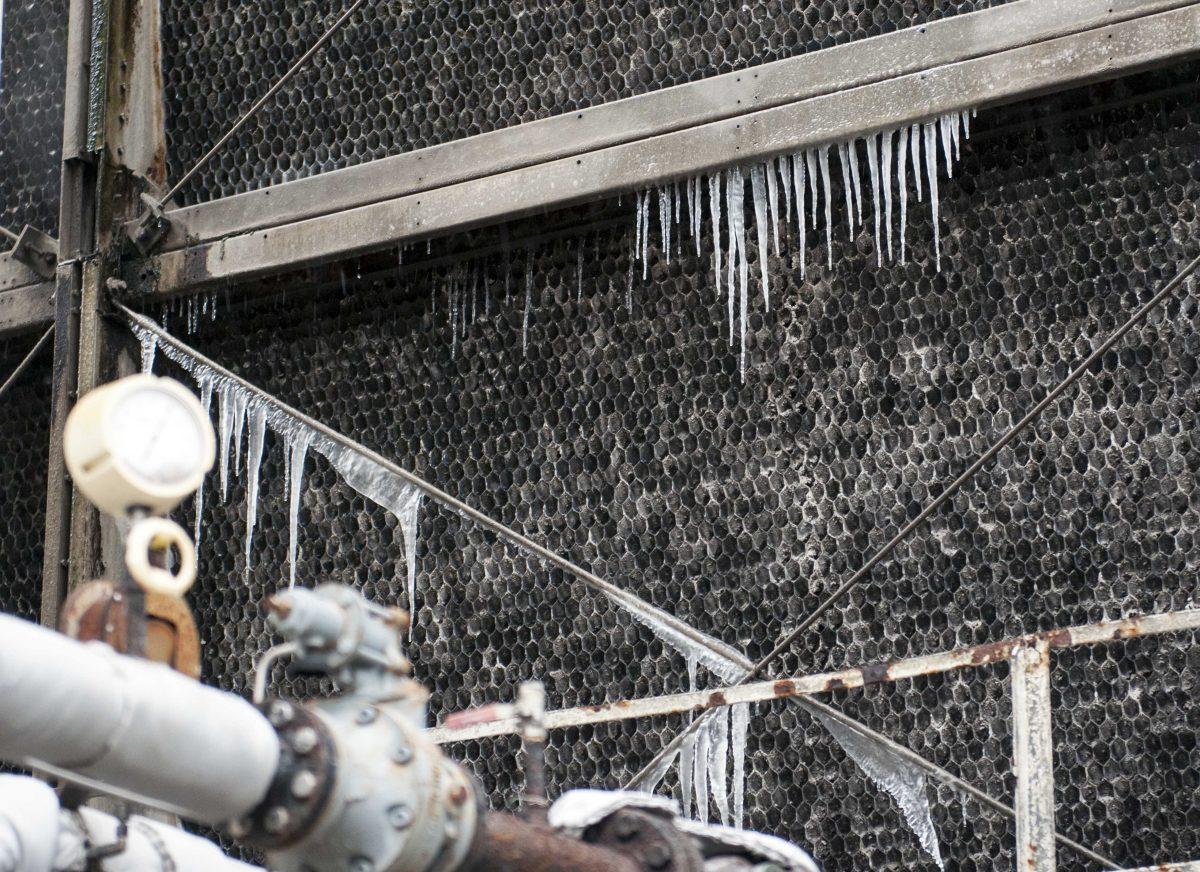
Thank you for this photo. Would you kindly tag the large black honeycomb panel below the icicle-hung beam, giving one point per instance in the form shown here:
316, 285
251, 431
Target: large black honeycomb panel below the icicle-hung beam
623, 437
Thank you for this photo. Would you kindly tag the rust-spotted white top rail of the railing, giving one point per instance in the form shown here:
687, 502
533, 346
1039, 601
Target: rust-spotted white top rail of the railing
845, 679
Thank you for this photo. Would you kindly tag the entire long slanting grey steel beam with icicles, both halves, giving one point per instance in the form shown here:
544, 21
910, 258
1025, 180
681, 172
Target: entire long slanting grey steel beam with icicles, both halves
1144, 39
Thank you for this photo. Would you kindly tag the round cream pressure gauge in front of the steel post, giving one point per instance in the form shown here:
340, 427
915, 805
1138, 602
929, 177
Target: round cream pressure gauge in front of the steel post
139, 443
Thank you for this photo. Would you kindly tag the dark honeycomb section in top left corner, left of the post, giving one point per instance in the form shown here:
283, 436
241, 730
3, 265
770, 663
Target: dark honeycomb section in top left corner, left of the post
33, 68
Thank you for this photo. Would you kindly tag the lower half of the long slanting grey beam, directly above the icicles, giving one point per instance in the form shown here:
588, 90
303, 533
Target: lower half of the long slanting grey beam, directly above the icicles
1016, 74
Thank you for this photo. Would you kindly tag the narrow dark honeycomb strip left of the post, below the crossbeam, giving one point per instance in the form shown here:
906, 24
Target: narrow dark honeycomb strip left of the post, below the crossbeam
25, 447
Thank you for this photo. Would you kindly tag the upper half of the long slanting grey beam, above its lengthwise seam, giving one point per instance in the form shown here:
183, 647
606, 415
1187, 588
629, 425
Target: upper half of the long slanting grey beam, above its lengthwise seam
818, 74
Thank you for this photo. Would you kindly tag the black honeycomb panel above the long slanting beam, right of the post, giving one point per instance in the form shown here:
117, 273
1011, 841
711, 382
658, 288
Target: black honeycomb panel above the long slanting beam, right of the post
405, 76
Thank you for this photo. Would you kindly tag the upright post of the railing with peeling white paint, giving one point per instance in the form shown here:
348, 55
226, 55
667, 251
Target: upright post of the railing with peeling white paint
1034, 759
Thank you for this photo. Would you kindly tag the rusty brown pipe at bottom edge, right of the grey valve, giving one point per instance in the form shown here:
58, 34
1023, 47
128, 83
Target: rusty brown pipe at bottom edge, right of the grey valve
506, 844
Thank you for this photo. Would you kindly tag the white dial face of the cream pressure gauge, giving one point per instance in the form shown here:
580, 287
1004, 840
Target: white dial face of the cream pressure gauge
157, 436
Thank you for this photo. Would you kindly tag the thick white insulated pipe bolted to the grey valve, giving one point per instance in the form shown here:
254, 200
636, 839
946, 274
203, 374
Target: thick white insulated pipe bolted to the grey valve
139, 729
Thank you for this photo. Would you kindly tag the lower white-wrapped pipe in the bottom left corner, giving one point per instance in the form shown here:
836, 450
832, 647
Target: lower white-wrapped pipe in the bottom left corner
37, 837
